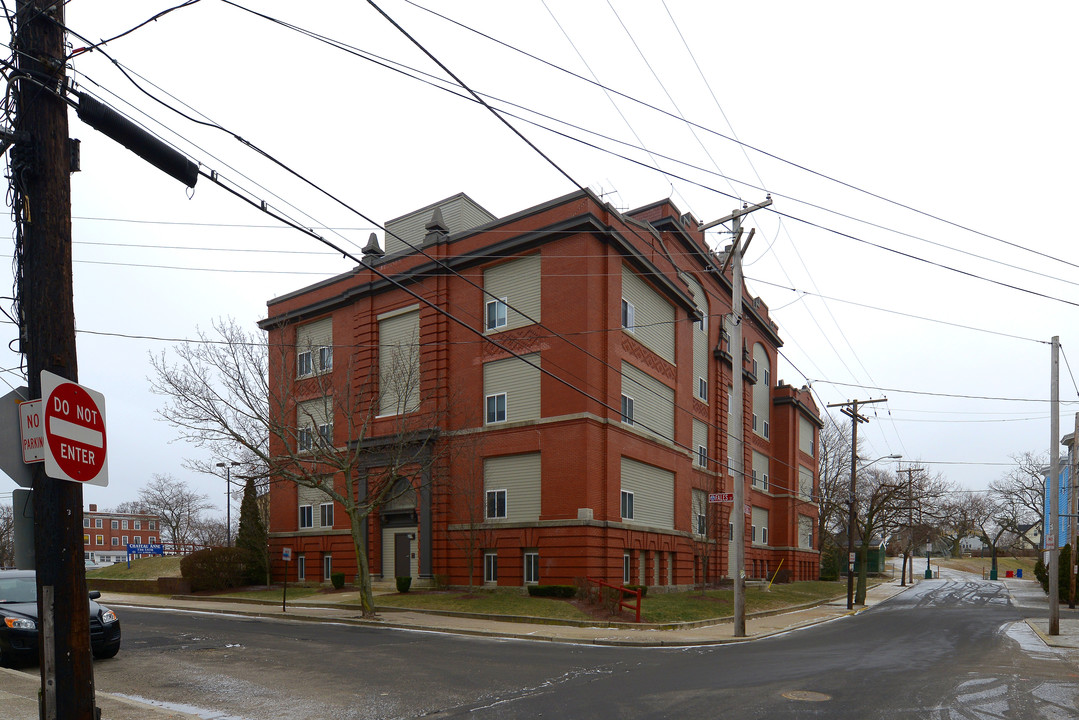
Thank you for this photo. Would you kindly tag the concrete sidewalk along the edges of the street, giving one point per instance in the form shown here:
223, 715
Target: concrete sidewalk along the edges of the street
19, 690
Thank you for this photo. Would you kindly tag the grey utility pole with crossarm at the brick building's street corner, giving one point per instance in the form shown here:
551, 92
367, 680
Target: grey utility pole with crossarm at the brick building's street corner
736, 431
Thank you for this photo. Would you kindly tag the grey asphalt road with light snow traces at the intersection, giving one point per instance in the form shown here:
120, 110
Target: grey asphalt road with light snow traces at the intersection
946, 649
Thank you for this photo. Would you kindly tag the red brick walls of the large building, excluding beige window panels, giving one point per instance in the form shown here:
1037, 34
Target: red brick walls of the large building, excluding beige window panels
584, 248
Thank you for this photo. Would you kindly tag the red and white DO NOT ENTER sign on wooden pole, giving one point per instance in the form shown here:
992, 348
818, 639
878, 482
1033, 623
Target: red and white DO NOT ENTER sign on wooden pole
74, 422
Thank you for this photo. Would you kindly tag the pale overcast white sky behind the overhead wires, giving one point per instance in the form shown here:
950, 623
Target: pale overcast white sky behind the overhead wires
962, 111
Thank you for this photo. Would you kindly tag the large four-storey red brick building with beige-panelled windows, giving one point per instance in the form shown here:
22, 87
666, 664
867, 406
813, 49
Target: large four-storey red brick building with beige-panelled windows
582, 356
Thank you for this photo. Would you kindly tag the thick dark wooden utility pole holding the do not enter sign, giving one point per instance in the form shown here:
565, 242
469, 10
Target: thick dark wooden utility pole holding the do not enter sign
42, 165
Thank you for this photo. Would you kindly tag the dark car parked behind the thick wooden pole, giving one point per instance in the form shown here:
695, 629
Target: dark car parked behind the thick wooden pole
19, 621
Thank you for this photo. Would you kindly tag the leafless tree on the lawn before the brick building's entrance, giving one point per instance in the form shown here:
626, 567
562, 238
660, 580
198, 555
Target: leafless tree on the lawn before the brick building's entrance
316, 432
